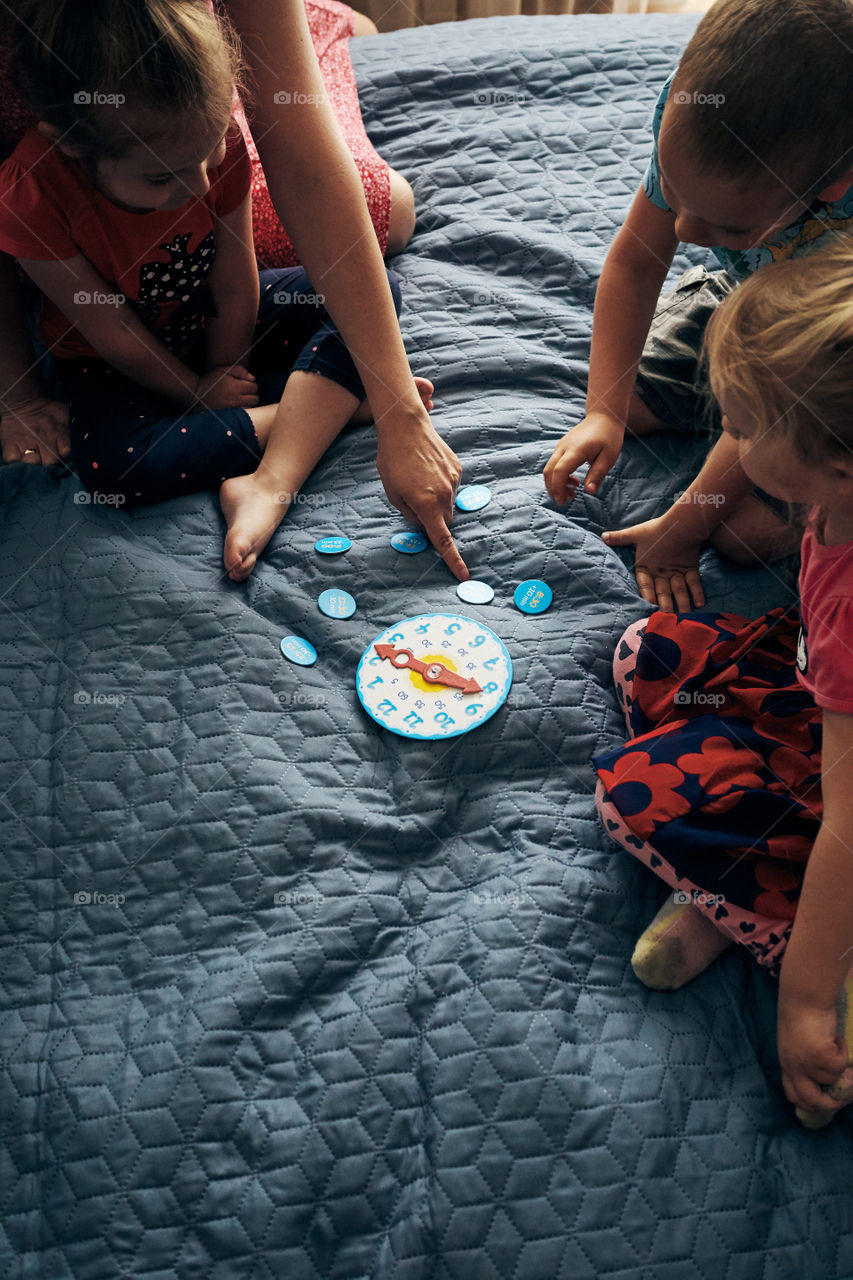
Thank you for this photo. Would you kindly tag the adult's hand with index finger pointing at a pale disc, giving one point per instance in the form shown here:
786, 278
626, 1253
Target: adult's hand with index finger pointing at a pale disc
421, 474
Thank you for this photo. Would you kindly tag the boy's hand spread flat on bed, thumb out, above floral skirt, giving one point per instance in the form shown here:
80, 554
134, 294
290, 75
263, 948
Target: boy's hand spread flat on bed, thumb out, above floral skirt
667, 564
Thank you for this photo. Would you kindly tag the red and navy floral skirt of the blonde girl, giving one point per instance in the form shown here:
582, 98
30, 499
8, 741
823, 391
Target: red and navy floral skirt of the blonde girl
719, 788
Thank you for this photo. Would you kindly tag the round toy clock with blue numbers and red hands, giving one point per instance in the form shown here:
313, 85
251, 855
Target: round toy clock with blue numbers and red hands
446, 646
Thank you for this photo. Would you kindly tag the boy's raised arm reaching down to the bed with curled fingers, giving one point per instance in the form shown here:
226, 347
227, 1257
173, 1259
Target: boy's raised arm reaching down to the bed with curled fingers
635, 271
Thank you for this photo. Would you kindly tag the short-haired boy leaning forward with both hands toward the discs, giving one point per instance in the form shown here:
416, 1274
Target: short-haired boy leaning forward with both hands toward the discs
754, 157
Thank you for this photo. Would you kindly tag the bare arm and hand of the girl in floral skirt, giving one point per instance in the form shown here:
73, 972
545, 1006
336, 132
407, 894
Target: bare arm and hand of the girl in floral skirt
820, 952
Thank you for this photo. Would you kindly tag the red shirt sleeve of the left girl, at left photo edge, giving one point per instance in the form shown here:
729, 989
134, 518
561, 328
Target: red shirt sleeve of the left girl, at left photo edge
35, 203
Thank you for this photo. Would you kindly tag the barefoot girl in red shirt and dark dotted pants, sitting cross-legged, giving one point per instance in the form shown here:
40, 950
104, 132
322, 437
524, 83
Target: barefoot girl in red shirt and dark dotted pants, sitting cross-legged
130, 209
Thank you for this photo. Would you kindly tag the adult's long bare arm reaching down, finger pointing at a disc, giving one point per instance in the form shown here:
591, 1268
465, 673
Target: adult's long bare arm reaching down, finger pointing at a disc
316, 189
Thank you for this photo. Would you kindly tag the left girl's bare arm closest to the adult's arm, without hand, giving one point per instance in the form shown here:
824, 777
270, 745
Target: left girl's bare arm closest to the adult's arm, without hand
234, 284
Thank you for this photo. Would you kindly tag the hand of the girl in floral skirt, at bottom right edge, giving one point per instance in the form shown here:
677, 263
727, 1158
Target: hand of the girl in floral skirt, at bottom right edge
811, 1055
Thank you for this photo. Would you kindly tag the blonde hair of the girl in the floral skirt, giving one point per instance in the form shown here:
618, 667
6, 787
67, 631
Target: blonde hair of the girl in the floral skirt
782, 345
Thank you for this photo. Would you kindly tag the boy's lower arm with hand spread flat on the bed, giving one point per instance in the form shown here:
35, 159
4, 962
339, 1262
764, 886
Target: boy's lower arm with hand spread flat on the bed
667, 561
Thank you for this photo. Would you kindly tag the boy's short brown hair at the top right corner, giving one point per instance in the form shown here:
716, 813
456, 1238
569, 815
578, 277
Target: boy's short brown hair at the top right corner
767, 86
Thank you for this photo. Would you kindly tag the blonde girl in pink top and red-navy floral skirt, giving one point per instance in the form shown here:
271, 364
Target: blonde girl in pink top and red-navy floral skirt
737, 787
